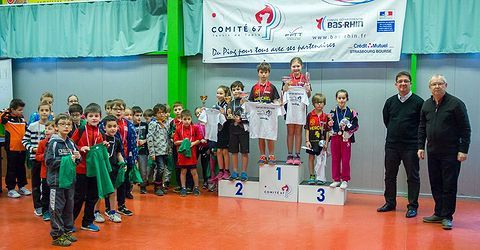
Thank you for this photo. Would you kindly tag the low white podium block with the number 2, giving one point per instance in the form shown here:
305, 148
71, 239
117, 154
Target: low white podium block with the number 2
238, 189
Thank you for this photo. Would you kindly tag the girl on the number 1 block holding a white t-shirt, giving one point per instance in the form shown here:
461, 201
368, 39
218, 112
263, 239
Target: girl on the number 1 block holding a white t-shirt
296, 113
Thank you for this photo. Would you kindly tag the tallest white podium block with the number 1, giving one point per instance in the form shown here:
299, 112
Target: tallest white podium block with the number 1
280, 182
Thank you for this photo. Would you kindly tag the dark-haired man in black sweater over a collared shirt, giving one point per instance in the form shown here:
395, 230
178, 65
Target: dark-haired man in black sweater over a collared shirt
401, 115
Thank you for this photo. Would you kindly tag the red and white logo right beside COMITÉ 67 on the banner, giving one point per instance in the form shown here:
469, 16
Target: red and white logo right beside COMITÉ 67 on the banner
269, 18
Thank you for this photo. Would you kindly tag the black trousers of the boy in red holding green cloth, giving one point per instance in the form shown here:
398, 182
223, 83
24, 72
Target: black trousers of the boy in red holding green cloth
86, 191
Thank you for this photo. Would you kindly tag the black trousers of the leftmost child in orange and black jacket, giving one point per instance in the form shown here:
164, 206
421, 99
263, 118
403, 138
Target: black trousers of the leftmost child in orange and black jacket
16, 172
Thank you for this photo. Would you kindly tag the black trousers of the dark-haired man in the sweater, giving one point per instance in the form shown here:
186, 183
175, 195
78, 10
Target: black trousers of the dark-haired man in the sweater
393, 157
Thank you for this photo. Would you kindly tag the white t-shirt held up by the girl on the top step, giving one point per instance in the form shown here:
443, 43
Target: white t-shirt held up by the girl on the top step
297, 101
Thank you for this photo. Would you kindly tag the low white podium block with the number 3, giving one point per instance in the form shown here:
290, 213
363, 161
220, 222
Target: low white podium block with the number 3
321, 194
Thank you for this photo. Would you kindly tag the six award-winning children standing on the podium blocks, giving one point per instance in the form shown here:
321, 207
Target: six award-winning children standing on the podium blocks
337, 127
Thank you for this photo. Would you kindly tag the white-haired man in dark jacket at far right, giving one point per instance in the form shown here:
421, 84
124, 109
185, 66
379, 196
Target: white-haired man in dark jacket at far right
445, 126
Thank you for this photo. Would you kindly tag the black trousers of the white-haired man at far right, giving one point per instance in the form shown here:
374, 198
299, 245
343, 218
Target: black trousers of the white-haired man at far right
443, 171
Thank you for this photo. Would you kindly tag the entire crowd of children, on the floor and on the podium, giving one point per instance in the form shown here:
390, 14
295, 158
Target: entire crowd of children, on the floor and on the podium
161, 145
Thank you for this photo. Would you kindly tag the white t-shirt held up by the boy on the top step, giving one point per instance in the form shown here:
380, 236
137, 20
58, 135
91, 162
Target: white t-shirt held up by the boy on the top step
263, 119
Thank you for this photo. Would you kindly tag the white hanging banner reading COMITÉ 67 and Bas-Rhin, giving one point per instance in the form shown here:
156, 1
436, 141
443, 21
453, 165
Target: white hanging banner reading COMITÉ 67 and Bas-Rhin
315, 30
